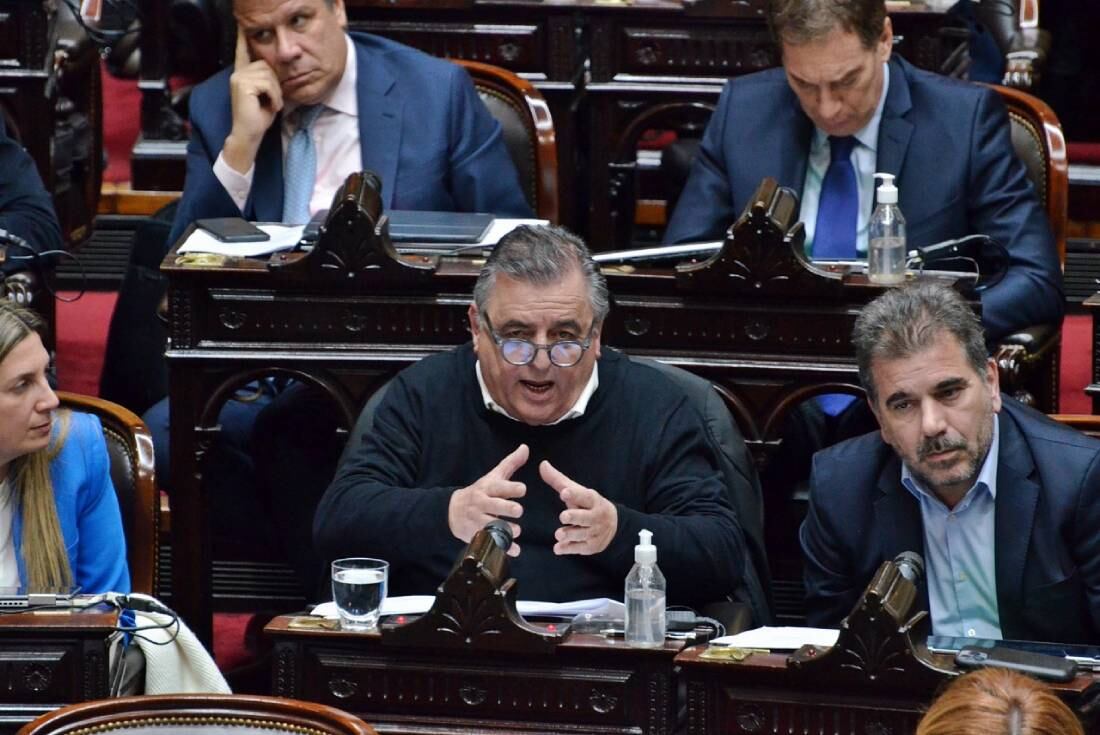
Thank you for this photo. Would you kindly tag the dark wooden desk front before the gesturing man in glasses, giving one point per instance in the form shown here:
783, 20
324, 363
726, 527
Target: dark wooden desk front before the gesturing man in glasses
588, 685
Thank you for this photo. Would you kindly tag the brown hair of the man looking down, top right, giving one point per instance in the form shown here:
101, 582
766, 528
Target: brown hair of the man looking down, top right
802, 21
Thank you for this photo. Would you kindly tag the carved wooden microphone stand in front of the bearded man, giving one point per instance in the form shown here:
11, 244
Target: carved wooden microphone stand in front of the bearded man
882, 642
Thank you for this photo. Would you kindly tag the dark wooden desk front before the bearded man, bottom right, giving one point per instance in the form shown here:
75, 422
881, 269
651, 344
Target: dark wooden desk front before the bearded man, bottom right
763, 695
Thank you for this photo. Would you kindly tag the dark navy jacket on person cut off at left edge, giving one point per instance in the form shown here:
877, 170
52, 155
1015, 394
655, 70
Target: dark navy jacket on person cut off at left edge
27, 210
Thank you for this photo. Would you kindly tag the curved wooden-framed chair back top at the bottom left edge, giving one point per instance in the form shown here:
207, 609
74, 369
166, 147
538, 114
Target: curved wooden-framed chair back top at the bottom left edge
199, 715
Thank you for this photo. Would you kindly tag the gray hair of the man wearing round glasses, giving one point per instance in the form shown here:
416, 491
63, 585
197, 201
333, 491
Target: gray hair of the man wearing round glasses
543, 256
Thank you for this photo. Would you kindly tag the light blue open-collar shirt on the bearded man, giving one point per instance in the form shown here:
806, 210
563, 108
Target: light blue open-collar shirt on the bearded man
960, 555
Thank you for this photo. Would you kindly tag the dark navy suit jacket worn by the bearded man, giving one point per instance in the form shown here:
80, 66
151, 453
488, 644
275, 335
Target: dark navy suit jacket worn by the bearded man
1047, 528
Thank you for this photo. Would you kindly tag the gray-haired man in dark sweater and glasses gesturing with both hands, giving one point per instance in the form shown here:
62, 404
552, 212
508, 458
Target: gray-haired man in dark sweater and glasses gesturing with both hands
535, 422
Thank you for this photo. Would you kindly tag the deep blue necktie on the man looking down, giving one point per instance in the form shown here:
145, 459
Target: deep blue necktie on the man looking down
839, 205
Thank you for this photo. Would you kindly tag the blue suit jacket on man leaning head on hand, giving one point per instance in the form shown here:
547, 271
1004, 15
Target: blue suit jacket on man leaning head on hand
422, 128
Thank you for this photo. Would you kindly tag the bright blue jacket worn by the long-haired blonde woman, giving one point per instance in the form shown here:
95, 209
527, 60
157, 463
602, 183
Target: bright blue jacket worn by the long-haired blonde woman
87, 510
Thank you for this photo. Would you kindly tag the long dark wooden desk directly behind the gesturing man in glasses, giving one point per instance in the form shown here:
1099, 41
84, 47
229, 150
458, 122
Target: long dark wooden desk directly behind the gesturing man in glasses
769, 338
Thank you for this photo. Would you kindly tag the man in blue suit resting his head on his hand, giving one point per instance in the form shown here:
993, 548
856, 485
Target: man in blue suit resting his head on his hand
306, 104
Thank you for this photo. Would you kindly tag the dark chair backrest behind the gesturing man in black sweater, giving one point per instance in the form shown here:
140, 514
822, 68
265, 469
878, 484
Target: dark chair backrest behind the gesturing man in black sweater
739, 470
